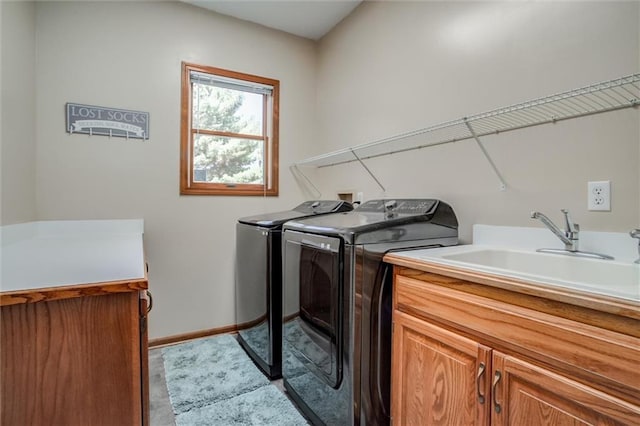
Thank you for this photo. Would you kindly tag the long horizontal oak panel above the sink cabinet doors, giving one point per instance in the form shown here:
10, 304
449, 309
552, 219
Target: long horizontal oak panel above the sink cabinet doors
591, 352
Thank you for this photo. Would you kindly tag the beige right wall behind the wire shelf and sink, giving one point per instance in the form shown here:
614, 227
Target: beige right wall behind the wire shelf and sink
393, 67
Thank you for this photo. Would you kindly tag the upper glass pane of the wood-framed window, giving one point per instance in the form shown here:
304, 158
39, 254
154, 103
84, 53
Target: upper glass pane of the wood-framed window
227, 110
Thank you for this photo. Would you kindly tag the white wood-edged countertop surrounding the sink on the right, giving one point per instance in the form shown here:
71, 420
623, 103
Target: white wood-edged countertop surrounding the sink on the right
619, 298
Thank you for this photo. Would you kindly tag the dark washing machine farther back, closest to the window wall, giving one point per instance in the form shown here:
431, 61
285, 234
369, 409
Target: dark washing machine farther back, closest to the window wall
259, 280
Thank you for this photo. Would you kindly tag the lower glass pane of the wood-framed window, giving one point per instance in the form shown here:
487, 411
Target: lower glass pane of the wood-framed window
227, 160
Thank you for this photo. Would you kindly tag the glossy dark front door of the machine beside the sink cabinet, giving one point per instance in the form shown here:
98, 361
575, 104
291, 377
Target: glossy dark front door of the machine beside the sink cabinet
313, 309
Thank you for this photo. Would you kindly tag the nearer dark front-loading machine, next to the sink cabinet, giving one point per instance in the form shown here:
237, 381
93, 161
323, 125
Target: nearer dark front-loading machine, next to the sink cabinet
336, 358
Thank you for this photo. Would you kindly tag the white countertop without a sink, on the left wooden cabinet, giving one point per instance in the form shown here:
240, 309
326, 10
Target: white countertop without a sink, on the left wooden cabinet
61, 253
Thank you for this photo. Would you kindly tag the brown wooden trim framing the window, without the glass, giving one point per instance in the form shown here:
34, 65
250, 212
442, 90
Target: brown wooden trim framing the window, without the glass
271, 163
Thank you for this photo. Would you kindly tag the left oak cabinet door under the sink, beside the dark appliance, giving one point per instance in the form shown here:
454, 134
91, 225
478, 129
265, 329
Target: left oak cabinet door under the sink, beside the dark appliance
438, 377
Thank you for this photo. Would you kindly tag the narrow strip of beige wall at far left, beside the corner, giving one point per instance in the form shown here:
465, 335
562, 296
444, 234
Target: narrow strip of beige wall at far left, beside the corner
17, 117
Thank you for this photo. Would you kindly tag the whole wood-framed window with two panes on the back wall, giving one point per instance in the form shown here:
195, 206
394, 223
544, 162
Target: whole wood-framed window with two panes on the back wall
229, 133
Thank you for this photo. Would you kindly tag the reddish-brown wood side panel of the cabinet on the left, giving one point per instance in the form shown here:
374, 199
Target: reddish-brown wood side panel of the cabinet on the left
72, 361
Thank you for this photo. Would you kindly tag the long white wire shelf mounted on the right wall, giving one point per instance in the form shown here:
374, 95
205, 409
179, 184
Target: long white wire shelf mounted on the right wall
597, 98
